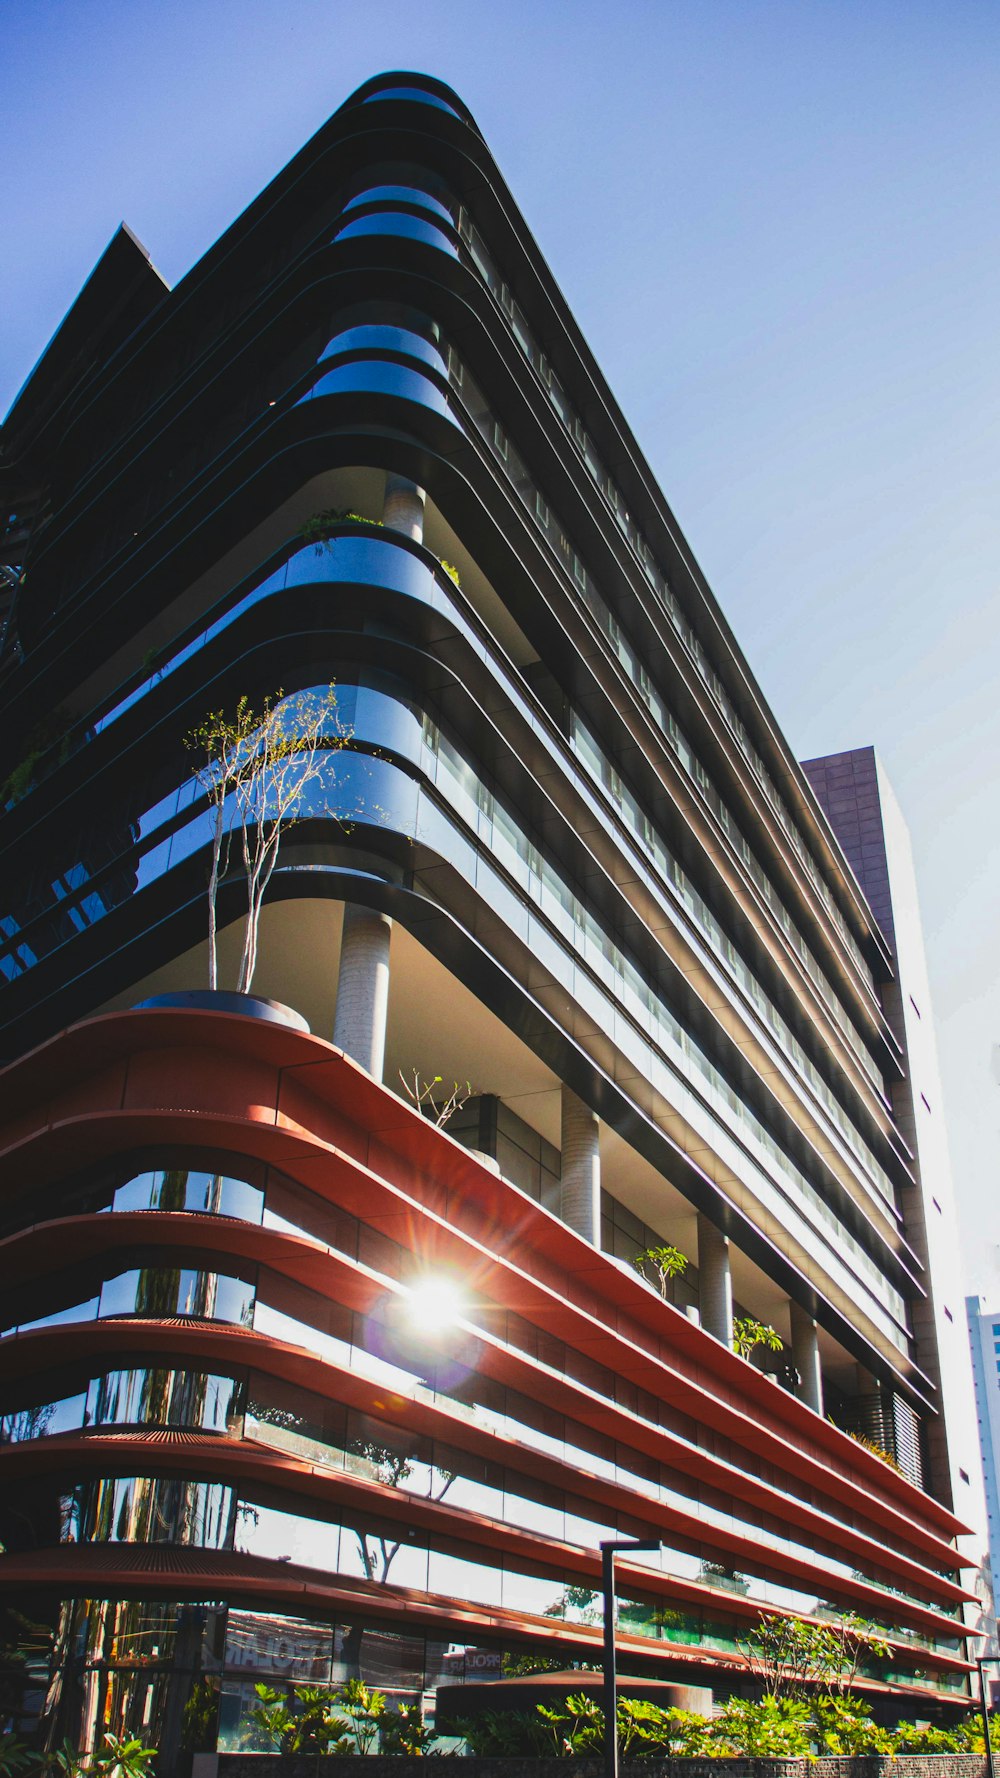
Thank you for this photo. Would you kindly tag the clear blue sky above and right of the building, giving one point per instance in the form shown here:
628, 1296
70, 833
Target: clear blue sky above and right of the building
778, 227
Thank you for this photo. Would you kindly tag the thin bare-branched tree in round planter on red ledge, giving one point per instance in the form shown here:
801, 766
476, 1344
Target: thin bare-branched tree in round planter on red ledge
255, 769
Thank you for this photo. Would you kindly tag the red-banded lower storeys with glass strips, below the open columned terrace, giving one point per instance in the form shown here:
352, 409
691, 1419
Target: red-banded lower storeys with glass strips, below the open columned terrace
209, 1448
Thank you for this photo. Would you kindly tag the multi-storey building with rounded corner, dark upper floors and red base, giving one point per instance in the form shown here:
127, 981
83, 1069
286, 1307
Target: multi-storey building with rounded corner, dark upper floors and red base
296, 1384
